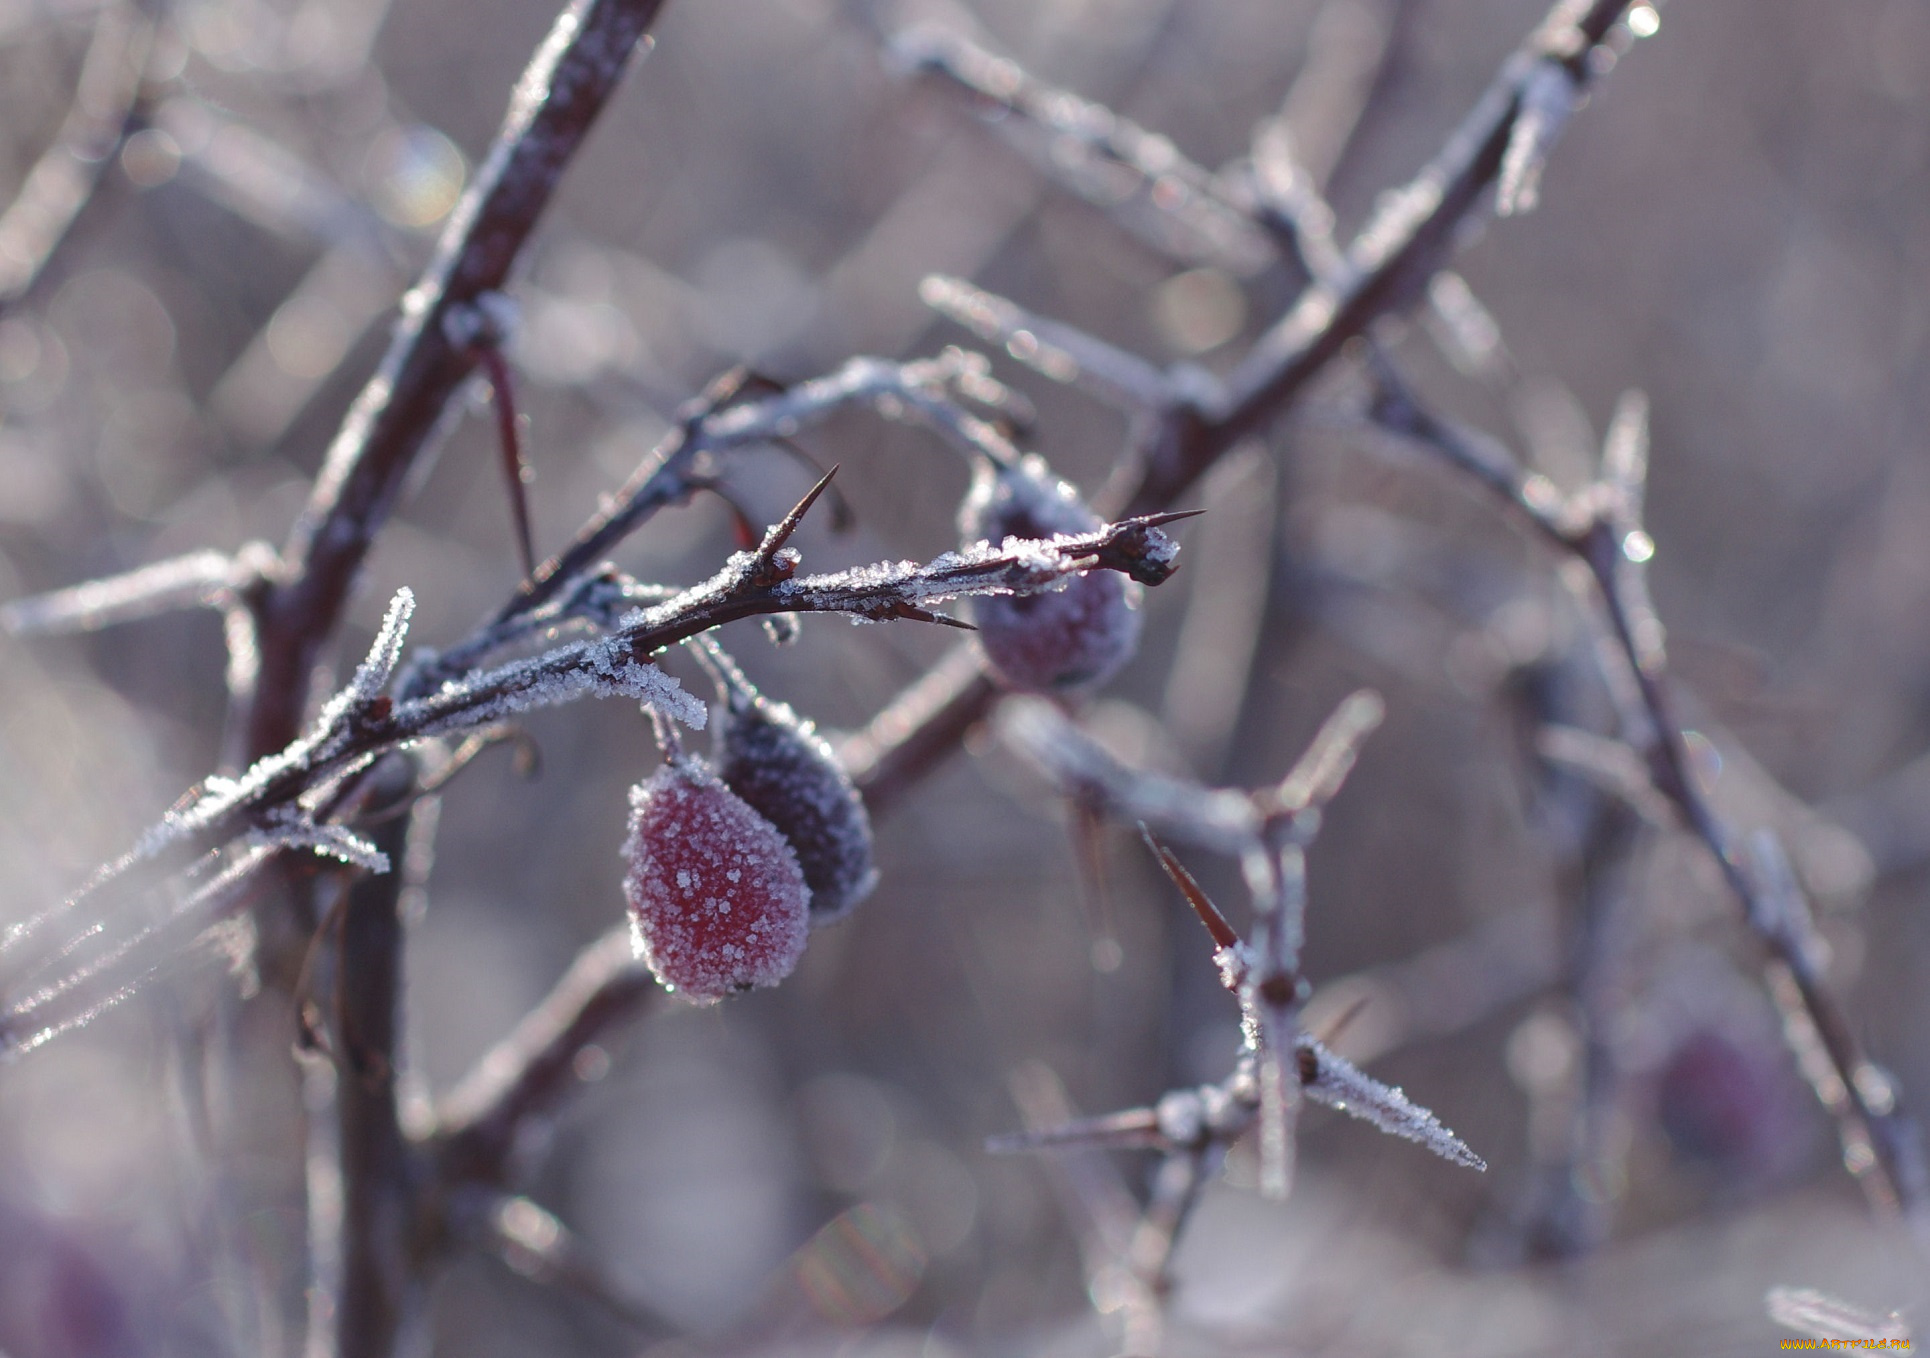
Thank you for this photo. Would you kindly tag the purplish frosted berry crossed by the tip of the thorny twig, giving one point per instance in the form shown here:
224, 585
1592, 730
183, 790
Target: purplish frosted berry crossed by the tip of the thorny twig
1064, 639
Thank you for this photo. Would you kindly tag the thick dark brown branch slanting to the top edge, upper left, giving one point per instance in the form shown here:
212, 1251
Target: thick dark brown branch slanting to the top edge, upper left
399, 412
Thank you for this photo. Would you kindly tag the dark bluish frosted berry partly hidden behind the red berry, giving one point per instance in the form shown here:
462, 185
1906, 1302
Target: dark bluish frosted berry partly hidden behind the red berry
779, 765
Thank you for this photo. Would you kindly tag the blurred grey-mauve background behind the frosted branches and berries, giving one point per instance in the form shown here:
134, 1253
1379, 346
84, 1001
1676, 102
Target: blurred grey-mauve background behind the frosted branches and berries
1738, 225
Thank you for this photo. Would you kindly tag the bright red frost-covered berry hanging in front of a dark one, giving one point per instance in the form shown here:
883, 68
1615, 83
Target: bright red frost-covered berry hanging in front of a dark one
717, 900
